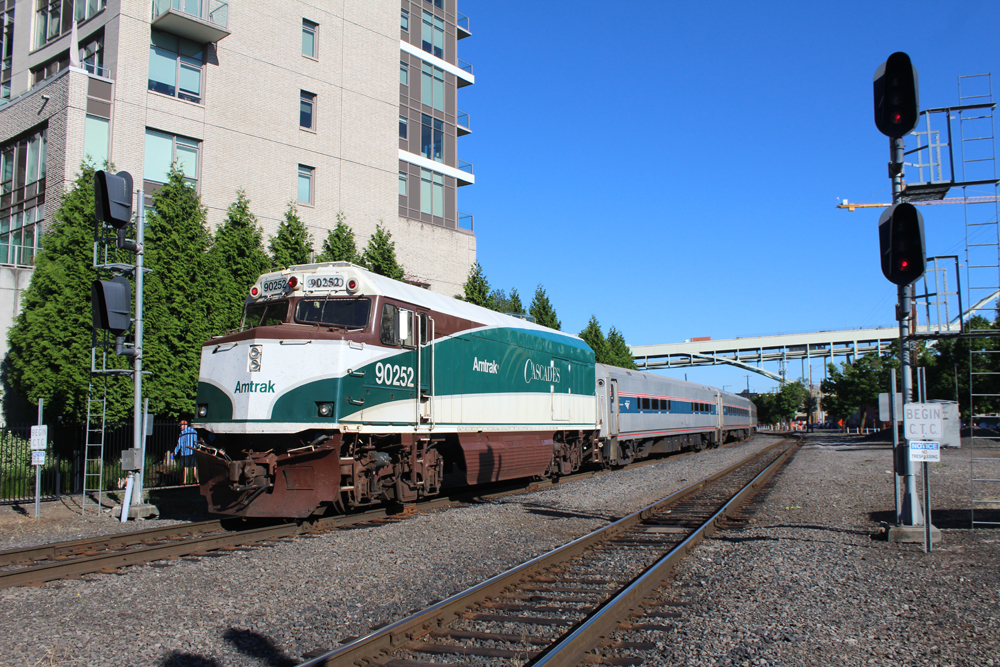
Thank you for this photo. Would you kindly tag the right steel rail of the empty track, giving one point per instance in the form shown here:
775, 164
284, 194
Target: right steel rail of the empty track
571, 648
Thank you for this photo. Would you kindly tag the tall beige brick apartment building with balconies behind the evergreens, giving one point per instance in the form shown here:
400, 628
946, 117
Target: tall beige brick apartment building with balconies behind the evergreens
297, 102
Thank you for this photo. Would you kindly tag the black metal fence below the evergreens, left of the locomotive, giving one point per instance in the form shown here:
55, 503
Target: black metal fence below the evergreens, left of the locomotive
62, 472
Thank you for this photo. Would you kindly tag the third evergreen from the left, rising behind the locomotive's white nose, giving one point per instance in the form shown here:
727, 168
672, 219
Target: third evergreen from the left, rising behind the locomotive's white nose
239, 258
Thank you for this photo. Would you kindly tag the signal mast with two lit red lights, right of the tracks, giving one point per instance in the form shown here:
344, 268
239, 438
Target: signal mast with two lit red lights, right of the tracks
901, 237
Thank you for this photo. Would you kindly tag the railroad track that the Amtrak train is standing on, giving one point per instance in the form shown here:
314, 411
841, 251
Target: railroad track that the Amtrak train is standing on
106, 554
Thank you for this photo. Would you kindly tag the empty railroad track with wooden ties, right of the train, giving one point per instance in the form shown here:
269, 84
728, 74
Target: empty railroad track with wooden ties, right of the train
564, 607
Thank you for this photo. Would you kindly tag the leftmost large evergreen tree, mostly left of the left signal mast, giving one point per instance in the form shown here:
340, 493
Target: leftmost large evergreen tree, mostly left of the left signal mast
49, 342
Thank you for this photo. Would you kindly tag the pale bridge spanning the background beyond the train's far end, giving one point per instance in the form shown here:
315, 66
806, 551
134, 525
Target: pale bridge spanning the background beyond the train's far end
751, 353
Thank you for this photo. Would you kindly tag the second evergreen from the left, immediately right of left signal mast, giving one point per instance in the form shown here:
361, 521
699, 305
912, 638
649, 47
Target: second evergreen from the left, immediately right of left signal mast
180, 294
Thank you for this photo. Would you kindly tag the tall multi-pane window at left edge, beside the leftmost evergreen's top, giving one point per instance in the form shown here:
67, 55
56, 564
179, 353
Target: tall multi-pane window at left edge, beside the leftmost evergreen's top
22, 198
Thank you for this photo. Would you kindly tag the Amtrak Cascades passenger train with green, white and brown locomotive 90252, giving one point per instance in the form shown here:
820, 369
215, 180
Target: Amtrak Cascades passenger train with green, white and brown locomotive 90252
344, 388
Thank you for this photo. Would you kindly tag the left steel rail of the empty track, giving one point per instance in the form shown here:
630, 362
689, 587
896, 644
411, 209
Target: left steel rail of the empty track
394, 635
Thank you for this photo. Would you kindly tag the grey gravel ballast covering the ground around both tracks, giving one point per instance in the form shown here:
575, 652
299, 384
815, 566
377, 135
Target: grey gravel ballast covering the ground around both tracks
802, 584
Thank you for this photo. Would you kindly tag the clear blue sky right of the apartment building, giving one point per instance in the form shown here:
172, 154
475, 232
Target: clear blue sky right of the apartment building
674, 167
